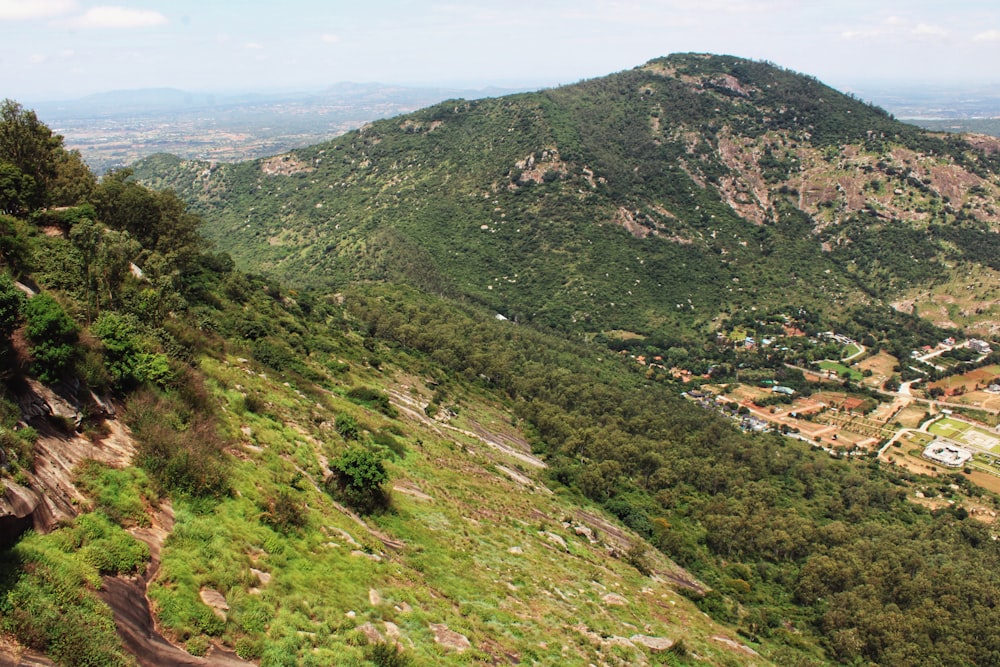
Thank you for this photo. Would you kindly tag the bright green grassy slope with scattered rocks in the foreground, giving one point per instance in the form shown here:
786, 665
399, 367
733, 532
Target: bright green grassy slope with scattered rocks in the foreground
478, 553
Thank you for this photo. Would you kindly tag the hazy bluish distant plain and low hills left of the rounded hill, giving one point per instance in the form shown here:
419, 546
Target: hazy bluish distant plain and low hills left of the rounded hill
116, 128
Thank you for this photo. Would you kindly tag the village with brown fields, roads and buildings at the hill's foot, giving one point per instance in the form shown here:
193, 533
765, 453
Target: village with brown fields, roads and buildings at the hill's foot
934, 412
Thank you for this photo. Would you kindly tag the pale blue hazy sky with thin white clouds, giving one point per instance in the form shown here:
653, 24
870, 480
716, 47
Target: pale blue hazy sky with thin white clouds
64, 49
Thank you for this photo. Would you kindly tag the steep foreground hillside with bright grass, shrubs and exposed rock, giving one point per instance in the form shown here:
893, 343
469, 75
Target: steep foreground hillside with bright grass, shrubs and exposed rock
200, 467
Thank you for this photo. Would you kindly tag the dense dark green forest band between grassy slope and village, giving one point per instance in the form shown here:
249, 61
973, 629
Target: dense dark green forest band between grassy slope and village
796, 546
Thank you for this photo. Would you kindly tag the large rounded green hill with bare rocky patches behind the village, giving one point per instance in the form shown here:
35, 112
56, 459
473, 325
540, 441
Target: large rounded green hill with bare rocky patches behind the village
652, 200
